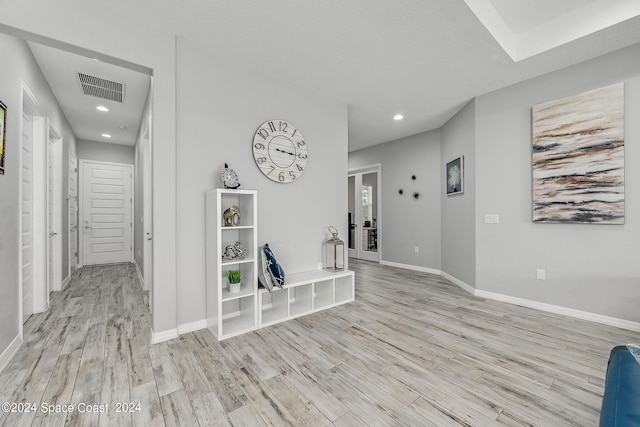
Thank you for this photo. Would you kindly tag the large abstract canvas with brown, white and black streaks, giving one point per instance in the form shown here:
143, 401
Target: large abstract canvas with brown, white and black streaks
578, 158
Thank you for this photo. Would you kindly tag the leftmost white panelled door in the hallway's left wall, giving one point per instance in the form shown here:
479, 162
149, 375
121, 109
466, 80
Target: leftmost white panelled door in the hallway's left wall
27, 217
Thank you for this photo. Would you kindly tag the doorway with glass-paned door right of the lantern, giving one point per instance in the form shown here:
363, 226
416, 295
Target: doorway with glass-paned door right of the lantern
365, 225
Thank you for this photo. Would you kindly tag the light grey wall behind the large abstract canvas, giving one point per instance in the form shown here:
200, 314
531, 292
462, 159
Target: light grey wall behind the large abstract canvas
592, 268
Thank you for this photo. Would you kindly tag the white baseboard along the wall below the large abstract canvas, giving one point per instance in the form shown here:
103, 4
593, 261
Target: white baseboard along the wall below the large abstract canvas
565, 311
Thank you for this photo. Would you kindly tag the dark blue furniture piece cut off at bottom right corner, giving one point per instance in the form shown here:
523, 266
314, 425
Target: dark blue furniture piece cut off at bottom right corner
621, 400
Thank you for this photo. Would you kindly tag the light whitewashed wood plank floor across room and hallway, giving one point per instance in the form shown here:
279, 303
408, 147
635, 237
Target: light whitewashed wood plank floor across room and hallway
420, 352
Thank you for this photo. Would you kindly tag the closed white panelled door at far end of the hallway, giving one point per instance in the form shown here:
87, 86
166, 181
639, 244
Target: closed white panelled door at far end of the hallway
106, 208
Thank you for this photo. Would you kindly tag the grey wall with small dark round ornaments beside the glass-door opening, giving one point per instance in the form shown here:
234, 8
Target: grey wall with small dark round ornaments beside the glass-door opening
407, 222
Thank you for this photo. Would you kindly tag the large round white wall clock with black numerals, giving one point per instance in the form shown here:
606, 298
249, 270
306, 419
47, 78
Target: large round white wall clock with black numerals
280, 151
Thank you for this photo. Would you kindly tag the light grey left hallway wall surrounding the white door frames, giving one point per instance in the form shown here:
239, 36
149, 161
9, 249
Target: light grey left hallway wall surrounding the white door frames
23, 68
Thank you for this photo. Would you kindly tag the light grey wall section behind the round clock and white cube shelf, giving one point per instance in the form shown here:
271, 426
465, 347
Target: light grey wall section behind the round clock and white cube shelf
220, 107
